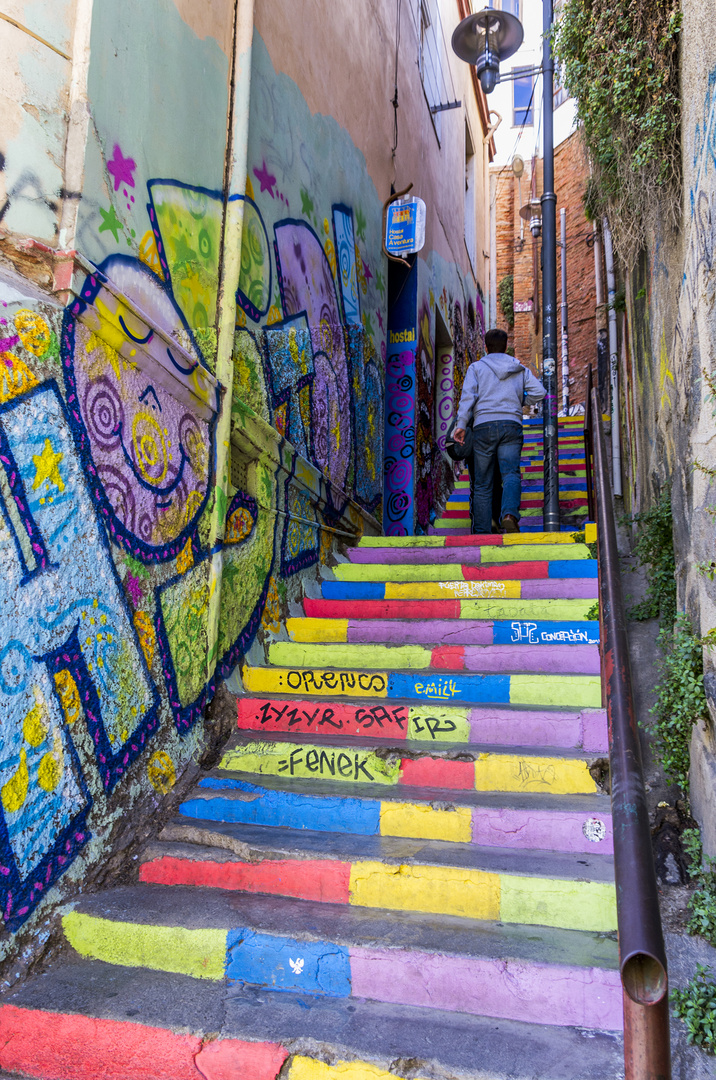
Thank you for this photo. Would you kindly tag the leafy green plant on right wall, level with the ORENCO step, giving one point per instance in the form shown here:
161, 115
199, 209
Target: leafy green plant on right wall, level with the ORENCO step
681, 698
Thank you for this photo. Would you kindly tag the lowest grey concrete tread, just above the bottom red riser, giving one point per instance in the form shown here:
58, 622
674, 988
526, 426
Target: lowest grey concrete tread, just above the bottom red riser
438, 1042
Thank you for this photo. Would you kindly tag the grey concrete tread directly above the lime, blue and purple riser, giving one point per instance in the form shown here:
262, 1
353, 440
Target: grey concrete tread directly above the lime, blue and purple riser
200, 909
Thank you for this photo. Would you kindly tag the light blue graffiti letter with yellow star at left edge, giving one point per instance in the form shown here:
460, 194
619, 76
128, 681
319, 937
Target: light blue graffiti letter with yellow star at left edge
70, 651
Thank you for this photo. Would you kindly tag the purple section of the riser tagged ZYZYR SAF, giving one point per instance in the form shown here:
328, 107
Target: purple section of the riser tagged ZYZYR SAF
507, 727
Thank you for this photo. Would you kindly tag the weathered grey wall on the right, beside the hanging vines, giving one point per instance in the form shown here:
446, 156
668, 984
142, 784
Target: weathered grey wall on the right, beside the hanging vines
667, 408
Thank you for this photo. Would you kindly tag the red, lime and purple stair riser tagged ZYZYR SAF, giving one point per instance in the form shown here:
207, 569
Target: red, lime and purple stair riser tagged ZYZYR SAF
497, 727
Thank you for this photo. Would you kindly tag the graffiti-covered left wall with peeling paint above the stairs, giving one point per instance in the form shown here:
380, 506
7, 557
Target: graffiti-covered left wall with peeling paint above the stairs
166, 491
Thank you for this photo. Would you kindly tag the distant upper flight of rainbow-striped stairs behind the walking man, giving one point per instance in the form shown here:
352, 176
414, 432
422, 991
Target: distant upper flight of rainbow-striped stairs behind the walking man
573, 483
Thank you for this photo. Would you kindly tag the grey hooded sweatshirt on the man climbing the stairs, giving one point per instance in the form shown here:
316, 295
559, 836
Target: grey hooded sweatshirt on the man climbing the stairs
496, 388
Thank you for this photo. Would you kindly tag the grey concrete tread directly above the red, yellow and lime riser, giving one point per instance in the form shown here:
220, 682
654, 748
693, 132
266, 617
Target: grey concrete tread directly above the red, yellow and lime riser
388, 849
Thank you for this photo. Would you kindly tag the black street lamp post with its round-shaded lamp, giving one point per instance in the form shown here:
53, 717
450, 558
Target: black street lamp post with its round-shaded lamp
484, 40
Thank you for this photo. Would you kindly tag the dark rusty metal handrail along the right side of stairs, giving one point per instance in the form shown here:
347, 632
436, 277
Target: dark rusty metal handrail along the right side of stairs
642, 956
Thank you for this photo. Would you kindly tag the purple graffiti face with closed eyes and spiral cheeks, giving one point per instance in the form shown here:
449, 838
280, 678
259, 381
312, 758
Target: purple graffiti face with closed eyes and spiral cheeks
144, 406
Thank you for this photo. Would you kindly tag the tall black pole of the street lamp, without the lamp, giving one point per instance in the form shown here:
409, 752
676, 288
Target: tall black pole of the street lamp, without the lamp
551, 521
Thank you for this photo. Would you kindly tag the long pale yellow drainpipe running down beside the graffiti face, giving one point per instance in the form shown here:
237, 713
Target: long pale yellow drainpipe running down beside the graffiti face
235, 182
